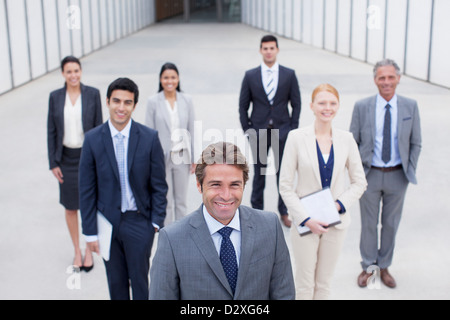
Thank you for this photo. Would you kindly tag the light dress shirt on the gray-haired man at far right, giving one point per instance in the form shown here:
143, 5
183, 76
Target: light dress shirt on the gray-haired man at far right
379, 122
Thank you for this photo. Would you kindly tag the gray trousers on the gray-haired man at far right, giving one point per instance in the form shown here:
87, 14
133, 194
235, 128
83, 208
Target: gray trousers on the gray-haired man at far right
385, 195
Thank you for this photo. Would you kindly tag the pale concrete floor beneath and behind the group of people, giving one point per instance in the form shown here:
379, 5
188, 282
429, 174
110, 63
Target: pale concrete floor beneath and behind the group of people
35, 245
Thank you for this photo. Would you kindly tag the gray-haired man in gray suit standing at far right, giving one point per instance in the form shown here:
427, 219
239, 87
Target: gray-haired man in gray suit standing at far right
387, 130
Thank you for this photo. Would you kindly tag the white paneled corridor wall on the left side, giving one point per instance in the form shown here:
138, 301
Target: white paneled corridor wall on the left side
36, 34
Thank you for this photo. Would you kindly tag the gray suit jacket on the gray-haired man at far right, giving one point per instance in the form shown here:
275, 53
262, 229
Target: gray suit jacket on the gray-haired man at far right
409, 133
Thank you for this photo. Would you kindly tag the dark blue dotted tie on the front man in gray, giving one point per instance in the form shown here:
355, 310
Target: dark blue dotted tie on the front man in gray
228, 257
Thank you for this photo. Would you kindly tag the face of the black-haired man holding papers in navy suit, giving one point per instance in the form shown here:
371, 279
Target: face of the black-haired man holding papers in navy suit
121, 106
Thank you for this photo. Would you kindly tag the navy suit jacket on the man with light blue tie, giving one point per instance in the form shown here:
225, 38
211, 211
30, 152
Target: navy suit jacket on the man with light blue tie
99, 177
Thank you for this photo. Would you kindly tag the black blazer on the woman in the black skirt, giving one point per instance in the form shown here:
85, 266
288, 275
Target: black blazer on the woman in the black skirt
91, 116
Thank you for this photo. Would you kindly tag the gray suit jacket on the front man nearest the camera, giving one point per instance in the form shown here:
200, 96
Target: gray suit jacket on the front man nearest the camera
187, 266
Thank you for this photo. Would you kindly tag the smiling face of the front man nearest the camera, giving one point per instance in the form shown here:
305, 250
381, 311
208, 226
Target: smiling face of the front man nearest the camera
222, 191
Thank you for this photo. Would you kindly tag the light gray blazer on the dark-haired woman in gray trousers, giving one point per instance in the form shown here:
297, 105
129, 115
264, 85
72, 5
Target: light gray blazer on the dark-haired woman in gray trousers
158, 118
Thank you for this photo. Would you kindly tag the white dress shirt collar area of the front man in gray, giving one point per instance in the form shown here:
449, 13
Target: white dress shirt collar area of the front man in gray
215, 226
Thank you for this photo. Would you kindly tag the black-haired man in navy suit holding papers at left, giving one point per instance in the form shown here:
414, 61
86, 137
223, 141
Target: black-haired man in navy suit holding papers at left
122, 176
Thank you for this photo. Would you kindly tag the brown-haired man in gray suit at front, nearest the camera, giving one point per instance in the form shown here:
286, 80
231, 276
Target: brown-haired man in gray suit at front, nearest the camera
222, 251
